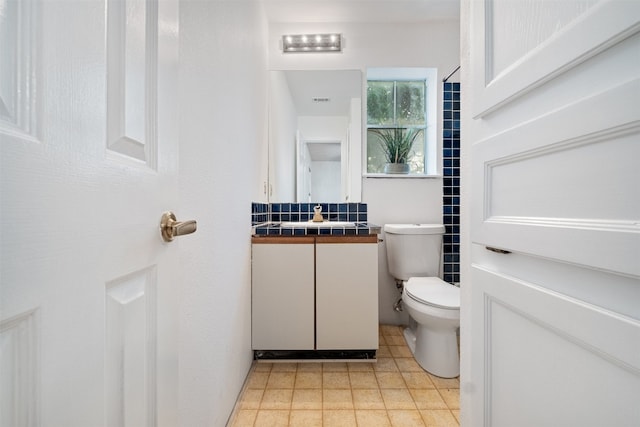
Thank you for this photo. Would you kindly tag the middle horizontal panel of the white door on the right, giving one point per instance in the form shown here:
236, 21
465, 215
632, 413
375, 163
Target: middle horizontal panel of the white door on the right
549, 188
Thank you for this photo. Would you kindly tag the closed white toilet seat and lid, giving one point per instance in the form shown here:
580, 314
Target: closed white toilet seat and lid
434, 292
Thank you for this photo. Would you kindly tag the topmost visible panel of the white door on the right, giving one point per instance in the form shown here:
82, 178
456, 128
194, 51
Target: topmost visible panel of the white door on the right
521, 45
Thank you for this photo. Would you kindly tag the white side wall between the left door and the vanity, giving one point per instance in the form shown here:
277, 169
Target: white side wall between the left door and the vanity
222, 130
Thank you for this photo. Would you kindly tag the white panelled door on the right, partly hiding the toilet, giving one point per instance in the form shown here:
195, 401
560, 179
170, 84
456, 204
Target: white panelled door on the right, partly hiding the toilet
551, 296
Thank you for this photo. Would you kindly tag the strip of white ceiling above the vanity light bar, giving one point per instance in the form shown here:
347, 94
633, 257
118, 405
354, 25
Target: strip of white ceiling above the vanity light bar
361, 10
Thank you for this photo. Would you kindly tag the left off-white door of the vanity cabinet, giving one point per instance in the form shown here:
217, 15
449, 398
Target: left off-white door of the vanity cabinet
282, 297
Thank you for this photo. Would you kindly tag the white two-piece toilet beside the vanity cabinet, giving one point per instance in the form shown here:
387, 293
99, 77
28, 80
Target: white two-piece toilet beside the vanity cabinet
413, 256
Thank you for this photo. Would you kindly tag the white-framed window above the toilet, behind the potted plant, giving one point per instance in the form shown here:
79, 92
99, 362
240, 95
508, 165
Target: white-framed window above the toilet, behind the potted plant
399, 99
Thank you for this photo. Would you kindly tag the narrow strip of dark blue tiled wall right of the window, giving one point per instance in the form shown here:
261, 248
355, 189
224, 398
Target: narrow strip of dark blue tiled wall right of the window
451, 181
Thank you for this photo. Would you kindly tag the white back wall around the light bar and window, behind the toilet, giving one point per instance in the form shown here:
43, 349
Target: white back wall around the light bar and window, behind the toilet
427, 44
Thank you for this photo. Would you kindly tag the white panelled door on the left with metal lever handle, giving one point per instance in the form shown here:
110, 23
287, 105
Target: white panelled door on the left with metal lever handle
88, 302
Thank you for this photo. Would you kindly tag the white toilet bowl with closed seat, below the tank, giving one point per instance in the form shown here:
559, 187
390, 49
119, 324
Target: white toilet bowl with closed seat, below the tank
434, 307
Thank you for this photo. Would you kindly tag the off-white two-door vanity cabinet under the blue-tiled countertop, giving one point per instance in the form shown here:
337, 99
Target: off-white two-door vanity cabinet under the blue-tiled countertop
315, 293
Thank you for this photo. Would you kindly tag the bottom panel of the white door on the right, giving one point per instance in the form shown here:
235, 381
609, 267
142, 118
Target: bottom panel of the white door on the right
534, 338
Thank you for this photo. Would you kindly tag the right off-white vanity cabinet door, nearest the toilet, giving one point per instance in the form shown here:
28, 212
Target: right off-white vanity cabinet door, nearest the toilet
346, 296
